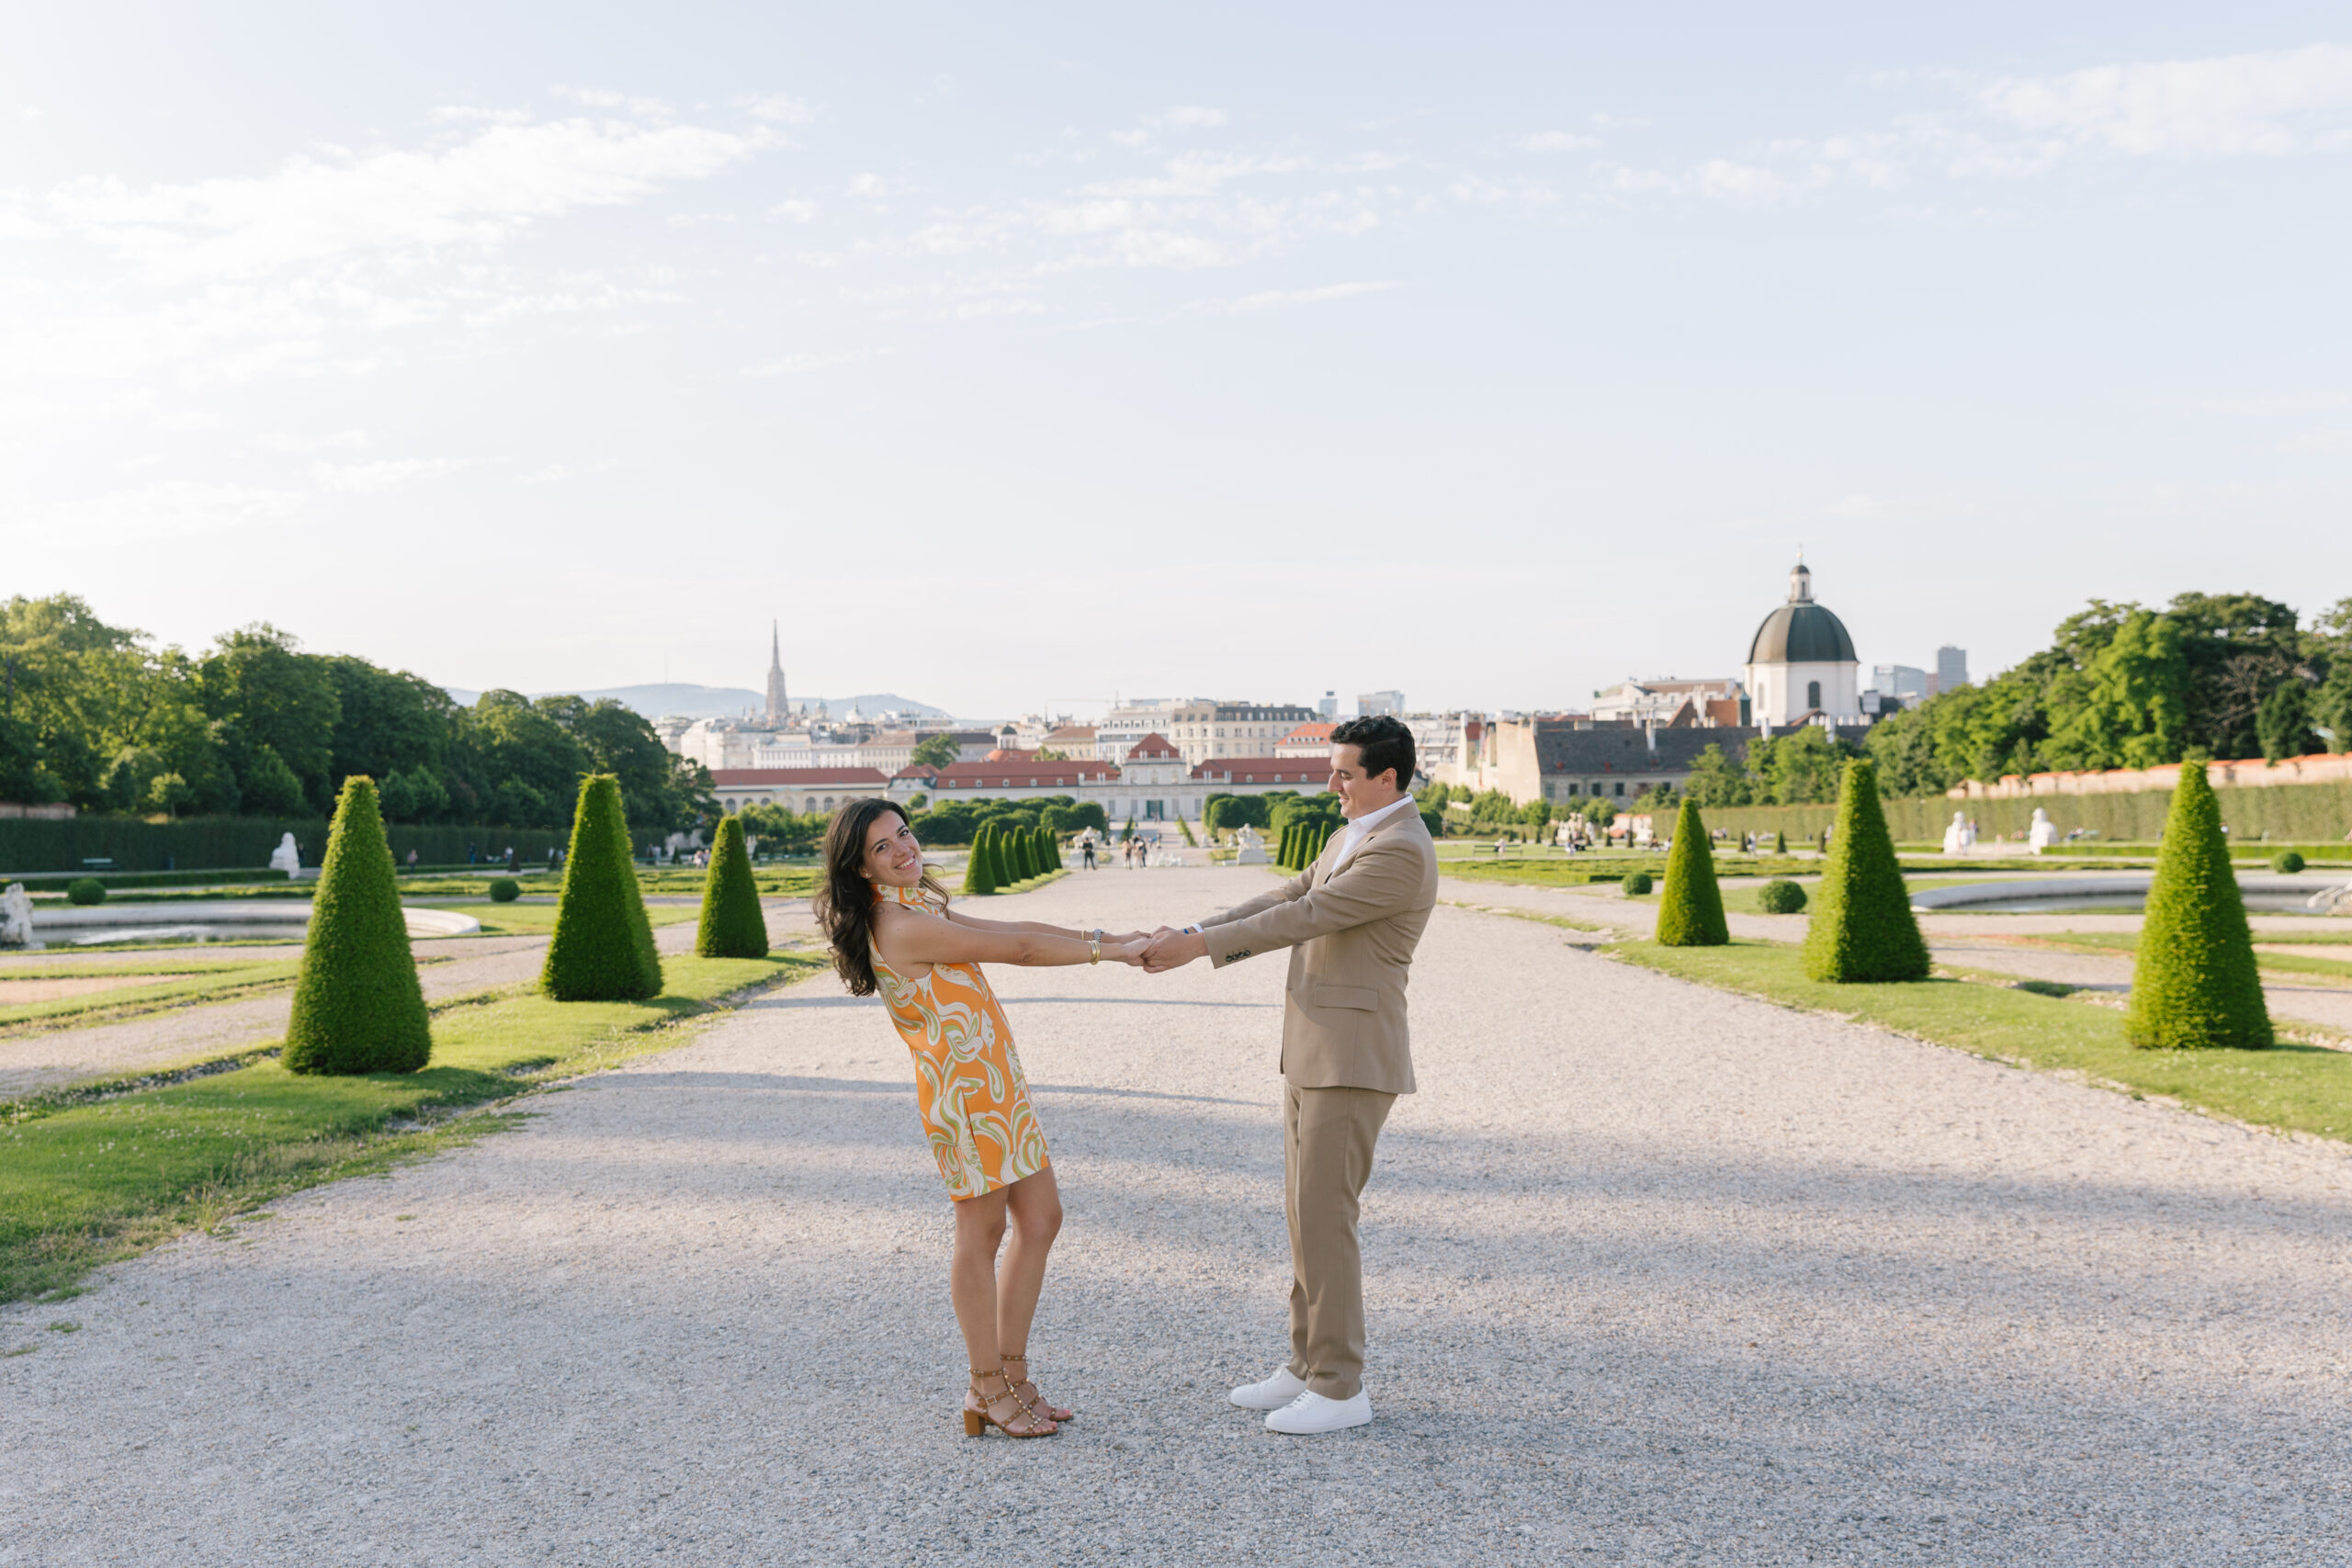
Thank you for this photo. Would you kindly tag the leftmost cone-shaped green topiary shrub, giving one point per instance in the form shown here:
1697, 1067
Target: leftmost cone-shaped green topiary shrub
359, 1005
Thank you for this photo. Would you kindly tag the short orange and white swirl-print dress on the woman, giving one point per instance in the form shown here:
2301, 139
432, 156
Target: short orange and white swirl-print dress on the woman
968, 1080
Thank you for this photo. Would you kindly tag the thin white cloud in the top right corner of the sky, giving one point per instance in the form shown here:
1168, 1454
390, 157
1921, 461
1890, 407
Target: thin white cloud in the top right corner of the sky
2233, 105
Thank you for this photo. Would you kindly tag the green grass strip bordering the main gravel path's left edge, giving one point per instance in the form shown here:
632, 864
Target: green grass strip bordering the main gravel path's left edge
98, 1184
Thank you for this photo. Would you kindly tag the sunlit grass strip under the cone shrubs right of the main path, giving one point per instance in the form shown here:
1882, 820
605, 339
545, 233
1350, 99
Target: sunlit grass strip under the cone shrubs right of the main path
2292, 1087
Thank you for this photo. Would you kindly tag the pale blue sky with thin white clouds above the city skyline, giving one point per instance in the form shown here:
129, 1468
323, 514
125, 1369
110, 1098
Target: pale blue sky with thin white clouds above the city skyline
1034, 356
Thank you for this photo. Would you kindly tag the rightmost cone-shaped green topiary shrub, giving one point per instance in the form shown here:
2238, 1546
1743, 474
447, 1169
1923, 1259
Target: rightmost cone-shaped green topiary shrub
2196, 981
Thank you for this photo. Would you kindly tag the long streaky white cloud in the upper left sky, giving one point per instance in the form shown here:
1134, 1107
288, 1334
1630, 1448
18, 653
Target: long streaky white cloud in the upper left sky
338, 203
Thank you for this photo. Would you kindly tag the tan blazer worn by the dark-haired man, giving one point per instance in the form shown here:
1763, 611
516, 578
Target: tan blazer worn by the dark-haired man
1351, 939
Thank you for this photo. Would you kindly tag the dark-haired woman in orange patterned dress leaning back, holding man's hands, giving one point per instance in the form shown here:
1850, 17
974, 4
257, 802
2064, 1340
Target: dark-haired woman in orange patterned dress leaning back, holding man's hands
895, 937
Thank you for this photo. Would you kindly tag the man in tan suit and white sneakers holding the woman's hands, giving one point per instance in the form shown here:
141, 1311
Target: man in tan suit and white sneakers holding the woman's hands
1351, 923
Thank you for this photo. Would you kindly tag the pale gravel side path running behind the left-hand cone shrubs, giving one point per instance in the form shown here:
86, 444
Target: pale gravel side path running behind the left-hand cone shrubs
448, 967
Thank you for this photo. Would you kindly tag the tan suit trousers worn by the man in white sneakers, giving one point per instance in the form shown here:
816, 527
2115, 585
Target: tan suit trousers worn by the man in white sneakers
1328, 1139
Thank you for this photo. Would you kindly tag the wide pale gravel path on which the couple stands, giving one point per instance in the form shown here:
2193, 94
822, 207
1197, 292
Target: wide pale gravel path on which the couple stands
1655, 1275
